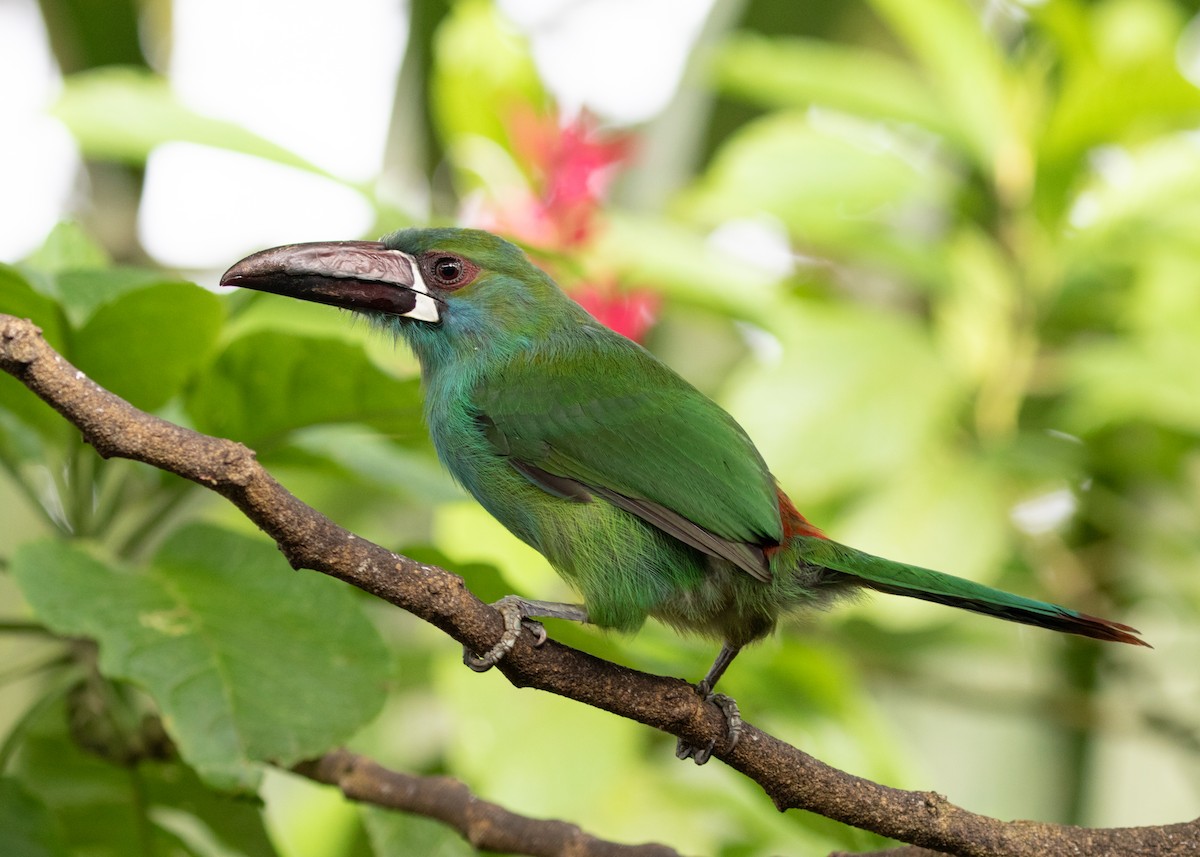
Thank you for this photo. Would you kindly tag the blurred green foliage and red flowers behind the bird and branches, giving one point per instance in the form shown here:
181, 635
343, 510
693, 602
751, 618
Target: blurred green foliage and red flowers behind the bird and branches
939, 257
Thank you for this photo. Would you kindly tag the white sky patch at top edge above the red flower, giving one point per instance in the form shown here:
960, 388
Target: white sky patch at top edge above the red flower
621, 59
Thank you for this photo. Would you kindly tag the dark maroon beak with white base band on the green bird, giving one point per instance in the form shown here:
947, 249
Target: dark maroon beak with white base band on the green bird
353, 275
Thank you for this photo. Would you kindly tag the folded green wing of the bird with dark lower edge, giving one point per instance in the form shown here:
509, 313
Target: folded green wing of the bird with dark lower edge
607, 418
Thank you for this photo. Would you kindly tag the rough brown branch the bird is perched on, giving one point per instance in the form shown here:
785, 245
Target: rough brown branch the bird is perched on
791, 778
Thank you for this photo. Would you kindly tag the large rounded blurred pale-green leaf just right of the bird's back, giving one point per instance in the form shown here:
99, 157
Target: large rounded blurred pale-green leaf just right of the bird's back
856, 397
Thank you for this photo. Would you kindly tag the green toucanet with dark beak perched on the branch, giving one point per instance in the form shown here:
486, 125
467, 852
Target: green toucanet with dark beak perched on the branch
641, 492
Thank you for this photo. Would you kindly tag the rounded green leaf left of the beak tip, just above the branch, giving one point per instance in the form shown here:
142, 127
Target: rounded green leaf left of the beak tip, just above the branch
145, 345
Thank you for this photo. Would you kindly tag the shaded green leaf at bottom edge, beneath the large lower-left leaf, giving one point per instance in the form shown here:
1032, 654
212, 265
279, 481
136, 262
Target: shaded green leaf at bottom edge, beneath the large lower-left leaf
103, 807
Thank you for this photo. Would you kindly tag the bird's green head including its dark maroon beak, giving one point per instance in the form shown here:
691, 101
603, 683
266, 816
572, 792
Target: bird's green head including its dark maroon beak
445, 291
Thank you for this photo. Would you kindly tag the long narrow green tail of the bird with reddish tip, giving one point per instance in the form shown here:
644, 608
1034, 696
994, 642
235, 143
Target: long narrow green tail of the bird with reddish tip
913, 582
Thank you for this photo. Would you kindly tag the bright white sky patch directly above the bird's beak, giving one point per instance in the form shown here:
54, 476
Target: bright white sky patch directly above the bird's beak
207, 208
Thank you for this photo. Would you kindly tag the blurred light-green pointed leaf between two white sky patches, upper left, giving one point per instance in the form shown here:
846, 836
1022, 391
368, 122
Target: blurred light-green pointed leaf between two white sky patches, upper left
122, 115
